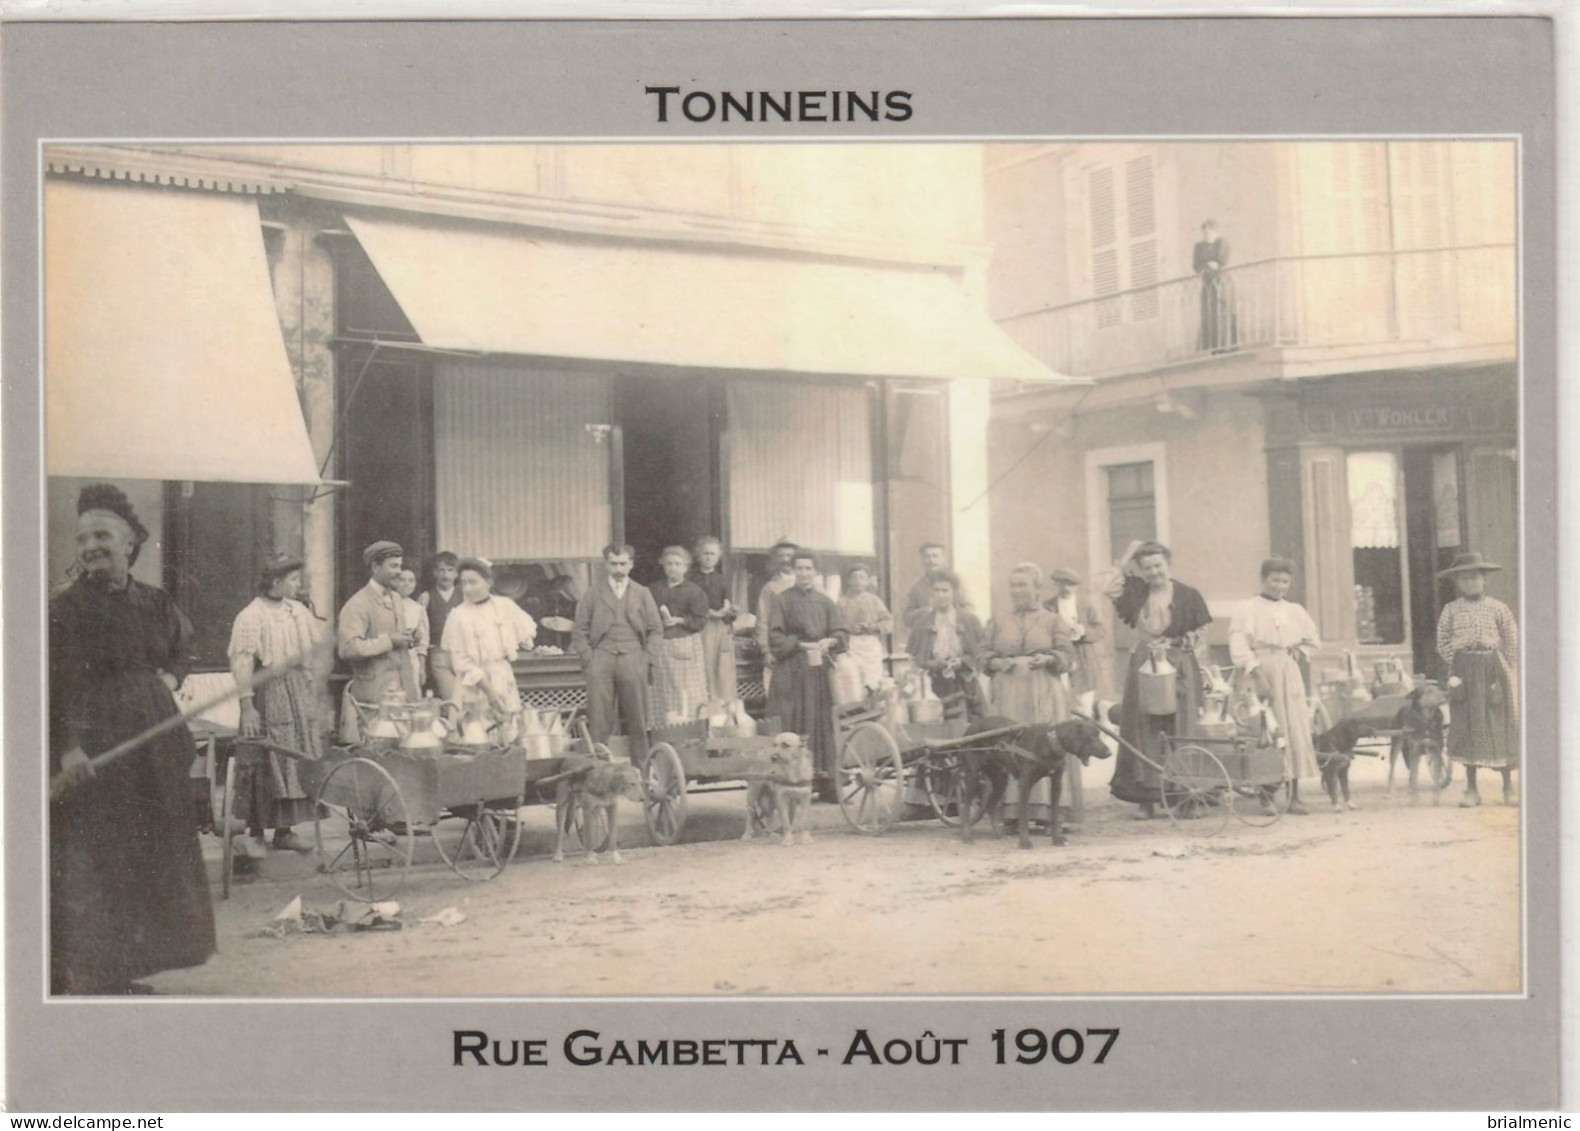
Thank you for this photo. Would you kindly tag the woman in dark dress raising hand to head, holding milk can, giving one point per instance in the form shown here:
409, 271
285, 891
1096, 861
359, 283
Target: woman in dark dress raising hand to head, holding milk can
1170, 618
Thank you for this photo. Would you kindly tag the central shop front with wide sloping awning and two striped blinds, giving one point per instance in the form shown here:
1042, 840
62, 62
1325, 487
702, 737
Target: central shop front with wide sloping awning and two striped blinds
530, 400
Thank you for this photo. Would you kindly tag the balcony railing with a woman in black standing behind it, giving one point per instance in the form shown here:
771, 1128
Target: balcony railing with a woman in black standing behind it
1429, 298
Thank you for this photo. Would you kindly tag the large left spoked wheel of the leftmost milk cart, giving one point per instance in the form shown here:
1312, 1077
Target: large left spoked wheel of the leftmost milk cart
374, 862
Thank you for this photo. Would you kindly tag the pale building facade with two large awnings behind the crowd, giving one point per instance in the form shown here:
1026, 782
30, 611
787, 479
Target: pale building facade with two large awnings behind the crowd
525, 353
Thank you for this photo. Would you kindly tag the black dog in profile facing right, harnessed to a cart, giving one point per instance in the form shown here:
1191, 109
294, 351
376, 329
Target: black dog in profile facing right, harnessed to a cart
1034, 753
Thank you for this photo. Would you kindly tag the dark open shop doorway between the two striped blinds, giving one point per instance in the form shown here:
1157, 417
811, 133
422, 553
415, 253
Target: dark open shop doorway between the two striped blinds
669, 464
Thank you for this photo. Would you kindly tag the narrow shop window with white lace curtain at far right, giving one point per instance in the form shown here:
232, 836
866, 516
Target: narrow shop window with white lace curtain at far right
1377, 546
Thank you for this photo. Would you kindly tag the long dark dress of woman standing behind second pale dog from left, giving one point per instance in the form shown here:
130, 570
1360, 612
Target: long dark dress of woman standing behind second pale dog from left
802, 696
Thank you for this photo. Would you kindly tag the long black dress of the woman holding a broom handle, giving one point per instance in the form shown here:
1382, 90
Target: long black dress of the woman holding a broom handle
127, 887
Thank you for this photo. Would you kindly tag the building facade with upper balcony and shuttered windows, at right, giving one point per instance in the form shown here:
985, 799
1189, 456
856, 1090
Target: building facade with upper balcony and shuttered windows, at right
1342, 391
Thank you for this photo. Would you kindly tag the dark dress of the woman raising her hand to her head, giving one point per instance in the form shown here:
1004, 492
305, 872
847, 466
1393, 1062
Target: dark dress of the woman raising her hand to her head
1134, 780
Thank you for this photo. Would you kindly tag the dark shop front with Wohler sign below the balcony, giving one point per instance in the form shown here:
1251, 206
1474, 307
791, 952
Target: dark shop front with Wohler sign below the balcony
1377, 486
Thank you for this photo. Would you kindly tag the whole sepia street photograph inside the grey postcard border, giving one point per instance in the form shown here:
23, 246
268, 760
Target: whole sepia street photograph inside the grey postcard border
454, 550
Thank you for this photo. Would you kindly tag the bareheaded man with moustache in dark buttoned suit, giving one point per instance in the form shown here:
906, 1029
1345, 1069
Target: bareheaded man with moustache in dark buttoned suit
617, 629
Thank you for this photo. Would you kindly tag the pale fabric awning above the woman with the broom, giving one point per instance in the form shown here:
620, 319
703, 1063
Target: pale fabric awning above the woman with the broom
164, 356
